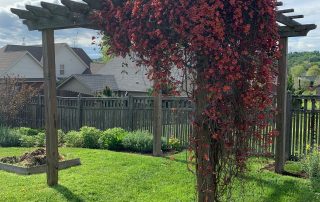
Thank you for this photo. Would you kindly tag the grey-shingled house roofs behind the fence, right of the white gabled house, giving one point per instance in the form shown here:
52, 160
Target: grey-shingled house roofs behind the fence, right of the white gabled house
120, 75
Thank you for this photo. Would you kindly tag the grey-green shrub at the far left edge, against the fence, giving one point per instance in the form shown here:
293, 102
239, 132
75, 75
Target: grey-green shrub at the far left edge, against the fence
9, 137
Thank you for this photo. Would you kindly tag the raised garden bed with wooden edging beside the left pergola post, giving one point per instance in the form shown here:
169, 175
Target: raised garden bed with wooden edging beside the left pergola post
33, 163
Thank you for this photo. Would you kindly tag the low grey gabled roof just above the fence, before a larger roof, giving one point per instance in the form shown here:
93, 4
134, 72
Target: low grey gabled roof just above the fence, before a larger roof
87, 85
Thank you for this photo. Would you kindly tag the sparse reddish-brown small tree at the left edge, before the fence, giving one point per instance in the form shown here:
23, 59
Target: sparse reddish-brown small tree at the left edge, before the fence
14, 95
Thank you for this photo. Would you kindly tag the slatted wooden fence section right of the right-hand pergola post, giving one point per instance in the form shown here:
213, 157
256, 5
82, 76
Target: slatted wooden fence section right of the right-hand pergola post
303, 124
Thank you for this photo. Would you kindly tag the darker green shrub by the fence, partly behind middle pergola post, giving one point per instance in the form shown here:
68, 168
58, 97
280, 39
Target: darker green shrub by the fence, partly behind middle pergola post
140, 141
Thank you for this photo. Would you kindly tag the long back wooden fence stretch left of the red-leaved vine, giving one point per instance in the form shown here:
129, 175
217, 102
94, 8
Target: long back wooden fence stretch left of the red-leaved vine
131, 113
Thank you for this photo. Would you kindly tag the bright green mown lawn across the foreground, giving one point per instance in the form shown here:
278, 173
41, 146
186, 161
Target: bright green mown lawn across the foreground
119, 177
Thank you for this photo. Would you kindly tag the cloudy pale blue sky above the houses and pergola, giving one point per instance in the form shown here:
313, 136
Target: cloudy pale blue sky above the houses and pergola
12, 31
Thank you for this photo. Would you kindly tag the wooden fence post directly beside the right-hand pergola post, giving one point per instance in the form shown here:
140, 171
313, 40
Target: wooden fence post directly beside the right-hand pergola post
288, 139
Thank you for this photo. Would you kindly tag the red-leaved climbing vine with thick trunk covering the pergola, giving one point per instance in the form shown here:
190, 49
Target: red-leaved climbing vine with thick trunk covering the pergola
228, 49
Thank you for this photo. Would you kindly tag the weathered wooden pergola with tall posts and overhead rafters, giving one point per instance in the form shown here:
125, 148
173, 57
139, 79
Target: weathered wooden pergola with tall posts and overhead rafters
71, 14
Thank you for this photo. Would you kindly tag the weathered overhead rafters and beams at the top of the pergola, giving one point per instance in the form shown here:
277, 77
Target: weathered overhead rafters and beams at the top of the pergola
75, 15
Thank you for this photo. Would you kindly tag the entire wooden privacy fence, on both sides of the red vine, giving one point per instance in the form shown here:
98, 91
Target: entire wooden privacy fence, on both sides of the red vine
133, 113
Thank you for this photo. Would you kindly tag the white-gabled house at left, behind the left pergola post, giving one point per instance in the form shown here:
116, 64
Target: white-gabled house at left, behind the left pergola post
26, 62
